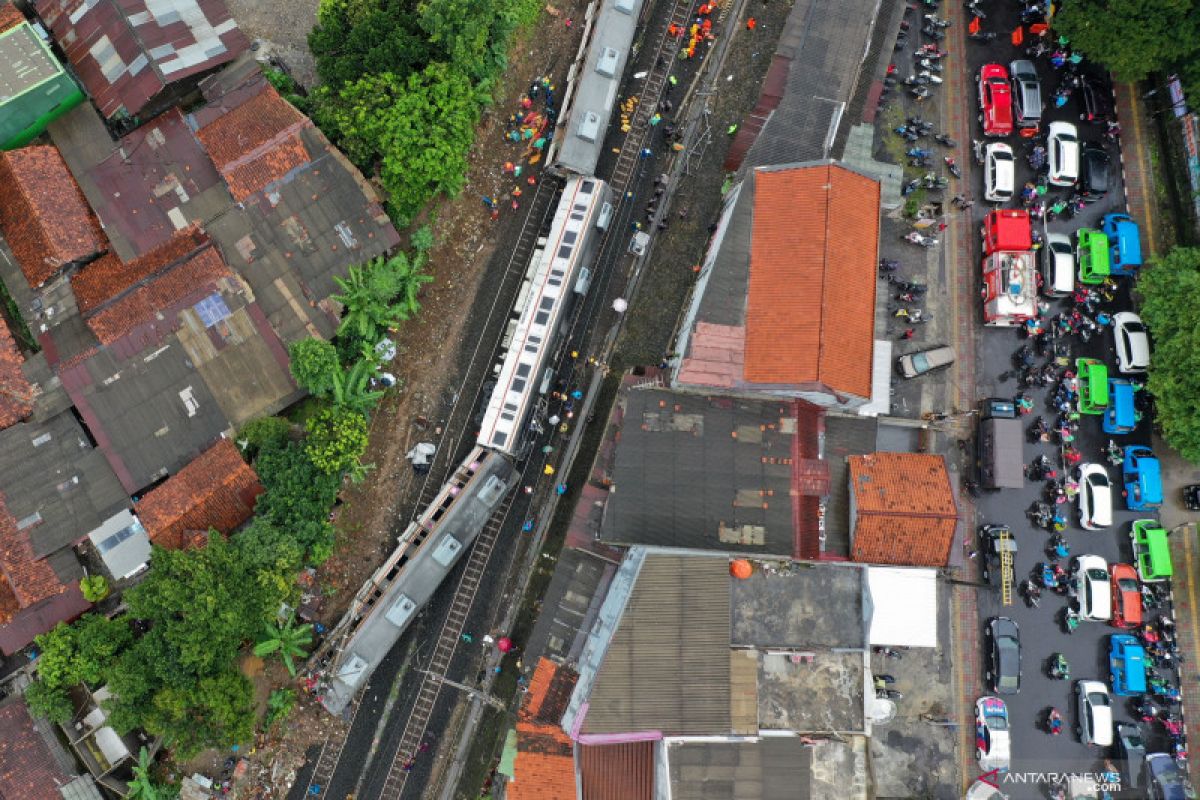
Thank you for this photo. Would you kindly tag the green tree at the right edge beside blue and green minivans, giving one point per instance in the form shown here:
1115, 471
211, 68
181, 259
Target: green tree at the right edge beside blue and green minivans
1169, 288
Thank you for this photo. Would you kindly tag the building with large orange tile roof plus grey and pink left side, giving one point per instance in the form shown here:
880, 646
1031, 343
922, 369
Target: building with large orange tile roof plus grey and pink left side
785, 302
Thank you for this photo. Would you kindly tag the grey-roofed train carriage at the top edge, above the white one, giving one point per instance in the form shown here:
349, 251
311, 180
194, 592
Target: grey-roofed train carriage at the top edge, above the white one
596, 93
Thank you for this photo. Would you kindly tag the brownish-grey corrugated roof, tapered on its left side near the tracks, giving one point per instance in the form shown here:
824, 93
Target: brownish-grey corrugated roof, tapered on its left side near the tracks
668, 667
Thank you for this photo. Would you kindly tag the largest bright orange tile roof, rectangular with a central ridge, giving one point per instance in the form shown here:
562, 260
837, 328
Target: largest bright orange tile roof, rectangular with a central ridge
811, 311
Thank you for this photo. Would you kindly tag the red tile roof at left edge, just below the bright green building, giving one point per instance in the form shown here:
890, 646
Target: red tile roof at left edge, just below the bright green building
45, 216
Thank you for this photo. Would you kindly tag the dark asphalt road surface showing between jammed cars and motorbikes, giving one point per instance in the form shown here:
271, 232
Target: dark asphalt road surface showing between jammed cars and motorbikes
1042, 634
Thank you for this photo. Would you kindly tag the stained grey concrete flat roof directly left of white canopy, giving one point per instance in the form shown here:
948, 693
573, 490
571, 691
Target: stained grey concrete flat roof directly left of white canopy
802, 606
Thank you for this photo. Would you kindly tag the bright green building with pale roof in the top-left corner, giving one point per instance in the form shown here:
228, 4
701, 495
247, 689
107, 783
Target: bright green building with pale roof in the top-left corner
38, 89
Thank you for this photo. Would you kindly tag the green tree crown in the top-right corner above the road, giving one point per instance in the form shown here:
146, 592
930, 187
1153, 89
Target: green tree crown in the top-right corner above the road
1132, 38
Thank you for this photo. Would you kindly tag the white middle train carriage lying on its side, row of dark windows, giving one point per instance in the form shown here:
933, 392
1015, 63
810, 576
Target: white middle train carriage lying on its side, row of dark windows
559, 270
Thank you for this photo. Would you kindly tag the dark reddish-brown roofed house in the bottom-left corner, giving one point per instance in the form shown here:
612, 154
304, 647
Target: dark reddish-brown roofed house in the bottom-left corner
33, 765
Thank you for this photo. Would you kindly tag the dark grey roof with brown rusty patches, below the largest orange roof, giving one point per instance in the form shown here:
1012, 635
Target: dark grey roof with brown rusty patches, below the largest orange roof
709, 473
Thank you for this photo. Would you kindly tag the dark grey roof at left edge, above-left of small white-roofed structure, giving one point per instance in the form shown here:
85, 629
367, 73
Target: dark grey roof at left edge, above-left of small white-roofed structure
51, 471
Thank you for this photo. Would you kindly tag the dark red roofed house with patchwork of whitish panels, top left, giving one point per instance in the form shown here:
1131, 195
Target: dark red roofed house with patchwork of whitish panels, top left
135, 57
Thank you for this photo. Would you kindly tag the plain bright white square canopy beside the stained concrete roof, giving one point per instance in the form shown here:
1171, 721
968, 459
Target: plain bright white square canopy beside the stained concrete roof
902, 607
